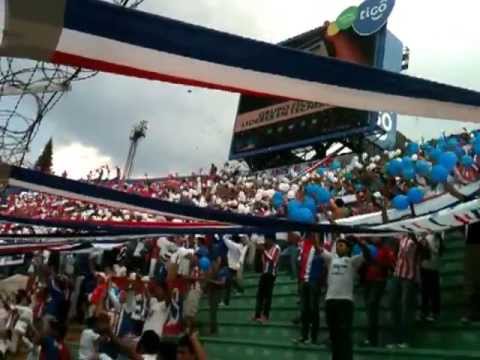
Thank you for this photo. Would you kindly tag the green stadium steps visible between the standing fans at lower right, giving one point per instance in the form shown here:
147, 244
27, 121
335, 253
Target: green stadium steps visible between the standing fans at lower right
239, 337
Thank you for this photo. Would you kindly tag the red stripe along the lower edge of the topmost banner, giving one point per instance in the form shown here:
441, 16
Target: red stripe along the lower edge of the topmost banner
59, 57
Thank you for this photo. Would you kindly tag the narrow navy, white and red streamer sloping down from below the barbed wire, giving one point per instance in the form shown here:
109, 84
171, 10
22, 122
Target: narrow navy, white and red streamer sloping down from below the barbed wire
36, 181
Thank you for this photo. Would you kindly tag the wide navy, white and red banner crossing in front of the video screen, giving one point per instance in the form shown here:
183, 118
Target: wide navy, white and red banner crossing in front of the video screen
101, 36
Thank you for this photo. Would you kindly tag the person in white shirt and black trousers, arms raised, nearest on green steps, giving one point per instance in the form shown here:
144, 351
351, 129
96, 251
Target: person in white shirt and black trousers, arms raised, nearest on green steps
339, 305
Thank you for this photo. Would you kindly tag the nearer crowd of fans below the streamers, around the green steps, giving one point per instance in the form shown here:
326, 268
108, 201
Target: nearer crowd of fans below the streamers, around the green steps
130, 300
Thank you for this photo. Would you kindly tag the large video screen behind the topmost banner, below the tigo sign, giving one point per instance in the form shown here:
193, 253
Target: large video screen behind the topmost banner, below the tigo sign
265, 125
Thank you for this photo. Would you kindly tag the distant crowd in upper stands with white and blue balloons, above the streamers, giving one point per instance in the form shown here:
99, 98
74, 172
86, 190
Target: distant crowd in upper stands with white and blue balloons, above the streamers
366, 184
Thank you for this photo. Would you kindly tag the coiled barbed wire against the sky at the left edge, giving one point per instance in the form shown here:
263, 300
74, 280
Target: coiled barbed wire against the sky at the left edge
29, 90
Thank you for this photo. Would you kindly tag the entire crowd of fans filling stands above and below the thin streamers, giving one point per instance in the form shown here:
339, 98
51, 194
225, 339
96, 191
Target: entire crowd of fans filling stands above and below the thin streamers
131, 299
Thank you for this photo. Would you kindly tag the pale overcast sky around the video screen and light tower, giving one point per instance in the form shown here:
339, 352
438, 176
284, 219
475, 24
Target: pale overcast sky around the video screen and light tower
190, 130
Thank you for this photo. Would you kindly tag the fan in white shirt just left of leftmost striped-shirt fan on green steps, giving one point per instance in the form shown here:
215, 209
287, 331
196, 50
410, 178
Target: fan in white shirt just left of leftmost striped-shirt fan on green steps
235, 257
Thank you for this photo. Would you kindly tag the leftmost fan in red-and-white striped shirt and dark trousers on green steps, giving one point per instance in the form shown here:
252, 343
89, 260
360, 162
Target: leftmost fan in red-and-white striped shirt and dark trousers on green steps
270, 258
